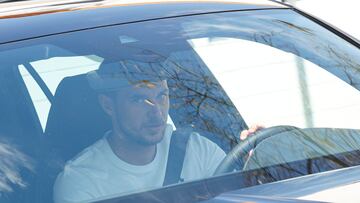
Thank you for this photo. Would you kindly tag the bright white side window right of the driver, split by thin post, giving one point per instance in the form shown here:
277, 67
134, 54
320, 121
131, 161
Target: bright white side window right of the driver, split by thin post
262, 82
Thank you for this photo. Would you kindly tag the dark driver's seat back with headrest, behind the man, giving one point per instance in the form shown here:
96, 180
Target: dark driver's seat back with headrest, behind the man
75, 121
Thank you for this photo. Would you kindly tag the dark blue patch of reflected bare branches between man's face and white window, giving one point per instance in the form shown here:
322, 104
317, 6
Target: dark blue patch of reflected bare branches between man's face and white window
196, 92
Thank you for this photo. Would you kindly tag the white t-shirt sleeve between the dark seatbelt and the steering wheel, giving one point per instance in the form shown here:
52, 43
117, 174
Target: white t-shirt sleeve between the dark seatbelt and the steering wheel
207, 154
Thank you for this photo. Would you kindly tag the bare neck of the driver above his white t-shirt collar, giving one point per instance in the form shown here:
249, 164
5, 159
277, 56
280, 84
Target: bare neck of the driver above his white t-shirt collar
130, 151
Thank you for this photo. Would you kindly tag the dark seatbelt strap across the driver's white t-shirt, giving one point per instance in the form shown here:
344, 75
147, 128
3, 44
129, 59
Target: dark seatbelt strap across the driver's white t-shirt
178, 143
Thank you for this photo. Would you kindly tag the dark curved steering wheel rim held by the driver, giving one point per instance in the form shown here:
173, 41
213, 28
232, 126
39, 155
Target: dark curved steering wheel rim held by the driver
235, 158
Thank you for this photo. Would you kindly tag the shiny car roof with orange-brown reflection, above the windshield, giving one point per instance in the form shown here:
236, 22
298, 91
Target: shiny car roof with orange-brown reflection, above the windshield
30, 19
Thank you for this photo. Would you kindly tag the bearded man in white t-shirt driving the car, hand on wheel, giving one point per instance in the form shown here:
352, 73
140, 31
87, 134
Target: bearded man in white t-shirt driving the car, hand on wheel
133, 156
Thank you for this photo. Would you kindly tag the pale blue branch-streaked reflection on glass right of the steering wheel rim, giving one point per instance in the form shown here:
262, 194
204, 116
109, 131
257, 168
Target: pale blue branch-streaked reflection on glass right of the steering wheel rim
302, 152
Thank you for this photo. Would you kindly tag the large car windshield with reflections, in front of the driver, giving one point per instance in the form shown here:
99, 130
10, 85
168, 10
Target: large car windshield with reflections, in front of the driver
95, 114
